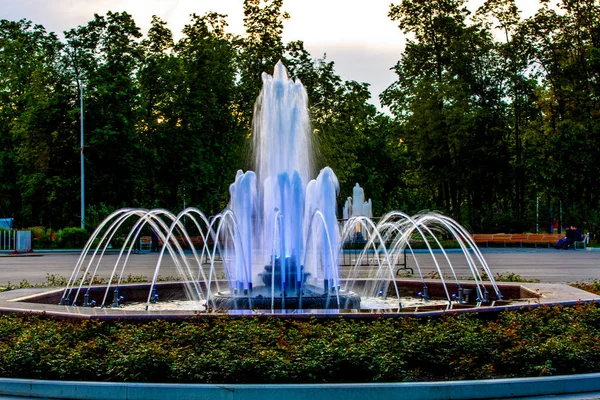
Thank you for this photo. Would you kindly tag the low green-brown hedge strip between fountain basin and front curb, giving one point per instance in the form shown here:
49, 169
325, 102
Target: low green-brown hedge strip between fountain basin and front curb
542, 341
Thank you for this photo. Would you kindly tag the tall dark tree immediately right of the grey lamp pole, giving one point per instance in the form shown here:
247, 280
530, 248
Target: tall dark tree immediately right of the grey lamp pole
105, 56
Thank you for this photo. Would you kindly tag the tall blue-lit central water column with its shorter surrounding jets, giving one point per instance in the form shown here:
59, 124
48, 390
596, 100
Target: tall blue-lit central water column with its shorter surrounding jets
285, 228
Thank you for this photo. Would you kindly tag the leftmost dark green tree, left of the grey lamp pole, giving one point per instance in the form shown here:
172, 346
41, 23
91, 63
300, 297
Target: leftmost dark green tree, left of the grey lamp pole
37, 160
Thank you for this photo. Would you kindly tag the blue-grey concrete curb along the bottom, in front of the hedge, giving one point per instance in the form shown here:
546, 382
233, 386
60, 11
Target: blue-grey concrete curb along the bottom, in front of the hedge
479, 389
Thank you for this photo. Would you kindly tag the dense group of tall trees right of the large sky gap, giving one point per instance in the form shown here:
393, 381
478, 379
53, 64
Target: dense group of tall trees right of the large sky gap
495, 124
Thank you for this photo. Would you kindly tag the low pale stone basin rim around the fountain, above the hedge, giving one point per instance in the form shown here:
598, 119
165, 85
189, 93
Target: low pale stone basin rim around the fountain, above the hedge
515, 296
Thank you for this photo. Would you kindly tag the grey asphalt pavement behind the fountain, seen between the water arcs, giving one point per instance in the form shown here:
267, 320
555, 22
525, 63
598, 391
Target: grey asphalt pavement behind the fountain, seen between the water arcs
547, 265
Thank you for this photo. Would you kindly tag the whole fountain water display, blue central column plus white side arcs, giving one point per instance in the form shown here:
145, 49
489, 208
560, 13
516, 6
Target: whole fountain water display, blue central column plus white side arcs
279, 241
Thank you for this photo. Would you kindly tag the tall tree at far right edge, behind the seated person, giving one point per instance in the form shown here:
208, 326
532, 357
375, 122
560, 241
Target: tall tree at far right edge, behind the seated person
563, 47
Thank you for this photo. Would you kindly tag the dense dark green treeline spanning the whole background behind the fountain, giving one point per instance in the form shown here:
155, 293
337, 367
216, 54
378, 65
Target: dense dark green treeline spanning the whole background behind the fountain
490, 114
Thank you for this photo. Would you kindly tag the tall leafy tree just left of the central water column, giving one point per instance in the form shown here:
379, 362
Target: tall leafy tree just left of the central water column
208, 142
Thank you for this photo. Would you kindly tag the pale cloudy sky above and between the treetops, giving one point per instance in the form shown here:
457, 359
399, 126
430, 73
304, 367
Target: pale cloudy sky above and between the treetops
356, 34
